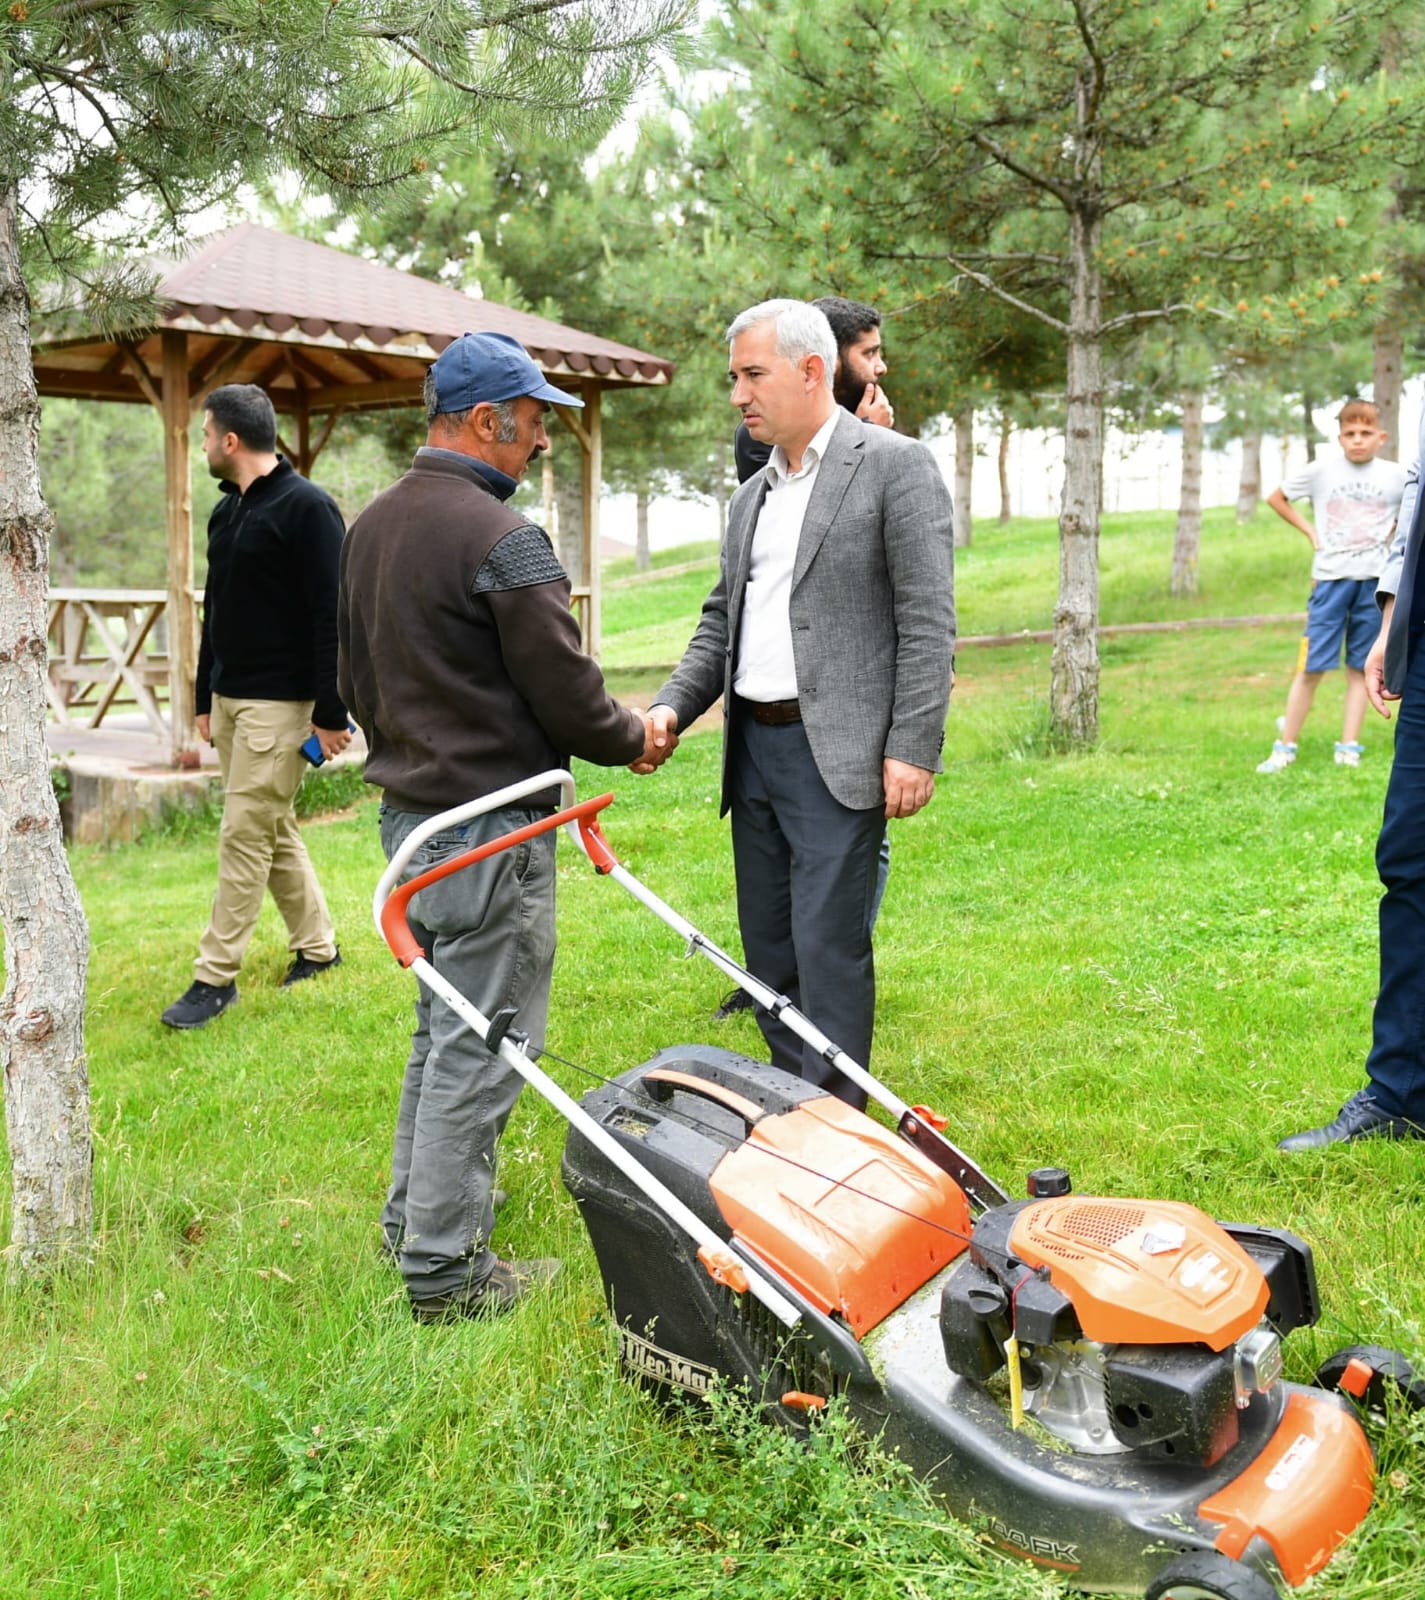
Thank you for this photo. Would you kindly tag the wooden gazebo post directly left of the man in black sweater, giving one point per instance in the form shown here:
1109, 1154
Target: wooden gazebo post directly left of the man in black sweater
183, 615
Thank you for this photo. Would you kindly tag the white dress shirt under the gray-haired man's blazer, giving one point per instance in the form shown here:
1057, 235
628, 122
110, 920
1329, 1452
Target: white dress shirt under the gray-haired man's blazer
767, 670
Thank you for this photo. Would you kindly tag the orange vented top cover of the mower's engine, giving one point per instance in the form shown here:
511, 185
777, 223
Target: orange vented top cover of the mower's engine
1144, 1271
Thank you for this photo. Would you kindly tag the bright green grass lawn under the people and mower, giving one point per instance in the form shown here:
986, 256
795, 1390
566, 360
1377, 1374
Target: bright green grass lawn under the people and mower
1146, 964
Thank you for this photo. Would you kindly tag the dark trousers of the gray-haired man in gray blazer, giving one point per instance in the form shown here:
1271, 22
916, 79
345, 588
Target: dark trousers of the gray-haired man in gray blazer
807, 881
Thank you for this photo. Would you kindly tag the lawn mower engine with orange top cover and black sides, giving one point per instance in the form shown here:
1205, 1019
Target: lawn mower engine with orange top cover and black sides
1138, 1326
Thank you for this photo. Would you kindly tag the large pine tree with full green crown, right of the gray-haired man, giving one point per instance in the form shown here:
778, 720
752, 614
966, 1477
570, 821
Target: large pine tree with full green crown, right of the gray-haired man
1093, 164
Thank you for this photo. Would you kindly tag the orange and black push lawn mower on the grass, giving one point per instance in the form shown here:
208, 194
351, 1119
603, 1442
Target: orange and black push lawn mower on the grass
1093, 1382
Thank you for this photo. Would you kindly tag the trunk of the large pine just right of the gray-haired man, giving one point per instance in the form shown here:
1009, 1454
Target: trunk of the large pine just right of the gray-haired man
1074, 673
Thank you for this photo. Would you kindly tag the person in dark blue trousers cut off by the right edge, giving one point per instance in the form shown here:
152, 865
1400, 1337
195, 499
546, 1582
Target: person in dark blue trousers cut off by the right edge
1392, 1106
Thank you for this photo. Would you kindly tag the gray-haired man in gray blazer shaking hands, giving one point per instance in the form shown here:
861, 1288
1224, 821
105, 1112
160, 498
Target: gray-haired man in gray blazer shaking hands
831, 638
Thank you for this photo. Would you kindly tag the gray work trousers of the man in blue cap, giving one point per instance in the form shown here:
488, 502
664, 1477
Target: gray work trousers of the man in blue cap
490, 930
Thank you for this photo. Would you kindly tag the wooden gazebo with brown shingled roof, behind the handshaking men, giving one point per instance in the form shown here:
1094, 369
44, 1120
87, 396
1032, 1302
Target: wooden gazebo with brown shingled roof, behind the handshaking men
324, 334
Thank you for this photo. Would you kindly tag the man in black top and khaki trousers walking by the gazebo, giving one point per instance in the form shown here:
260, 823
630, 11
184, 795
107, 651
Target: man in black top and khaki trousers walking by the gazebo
266, 684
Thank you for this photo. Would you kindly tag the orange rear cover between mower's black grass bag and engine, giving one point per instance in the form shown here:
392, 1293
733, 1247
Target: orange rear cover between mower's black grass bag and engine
847, 1212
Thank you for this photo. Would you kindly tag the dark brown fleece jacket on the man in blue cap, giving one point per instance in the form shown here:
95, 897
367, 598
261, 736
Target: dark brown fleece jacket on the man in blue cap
460, 655
